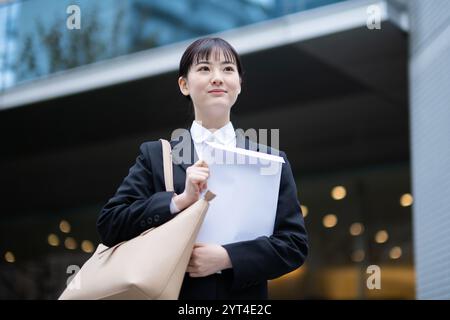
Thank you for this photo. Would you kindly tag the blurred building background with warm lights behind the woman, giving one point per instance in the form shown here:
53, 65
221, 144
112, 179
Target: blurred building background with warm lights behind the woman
357, 88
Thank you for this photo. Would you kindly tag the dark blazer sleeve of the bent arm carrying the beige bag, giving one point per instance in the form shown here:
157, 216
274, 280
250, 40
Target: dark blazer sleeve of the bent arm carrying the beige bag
136, 206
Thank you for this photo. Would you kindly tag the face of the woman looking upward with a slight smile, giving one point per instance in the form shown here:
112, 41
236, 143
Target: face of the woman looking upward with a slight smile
213, 85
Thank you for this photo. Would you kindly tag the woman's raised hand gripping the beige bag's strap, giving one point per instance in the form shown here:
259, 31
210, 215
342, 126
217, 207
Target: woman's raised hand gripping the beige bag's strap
196, 181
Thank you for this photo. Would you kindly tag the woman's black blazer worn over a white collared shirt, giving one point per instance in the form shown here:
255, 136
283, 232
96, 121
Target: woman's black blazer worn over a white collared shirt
141, 202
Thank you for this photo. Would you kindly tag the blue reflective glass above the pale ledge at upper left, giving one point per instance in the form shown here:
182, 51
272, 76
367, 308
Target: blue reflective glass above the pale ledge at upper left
39, 42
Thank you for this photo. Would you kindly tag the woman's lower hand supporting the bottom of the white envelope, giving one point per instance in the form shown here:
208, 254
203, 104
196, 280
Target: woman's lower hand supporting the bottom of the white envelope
207, 259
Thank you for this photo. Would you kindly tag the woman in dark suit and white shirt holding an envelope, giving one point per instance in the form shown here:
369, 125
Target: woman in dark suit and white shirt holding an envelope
210, 76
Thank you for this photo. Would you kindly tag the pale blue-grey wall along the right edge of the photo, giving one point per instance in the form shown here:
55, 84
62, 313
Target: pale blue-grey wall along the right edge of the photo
430, 133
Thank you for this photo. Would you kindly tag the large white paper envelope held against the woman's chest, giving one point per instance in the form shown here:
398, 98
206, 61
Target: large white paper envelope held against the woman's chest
246, 194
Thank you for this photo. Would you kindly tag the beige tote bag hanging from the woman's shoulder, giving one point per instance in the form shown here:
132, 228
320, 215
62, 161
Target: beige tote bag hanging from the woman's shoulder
149, 266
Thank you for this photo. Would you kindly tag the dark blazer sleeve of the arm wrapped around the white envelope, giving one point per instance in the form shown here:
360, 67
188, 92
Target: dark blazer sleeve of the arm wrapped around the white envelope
265, 257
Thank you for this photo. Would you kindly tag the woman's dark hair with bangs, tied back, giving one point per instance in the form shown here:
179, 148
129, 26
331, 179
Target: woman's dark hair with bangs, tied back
202, 48
